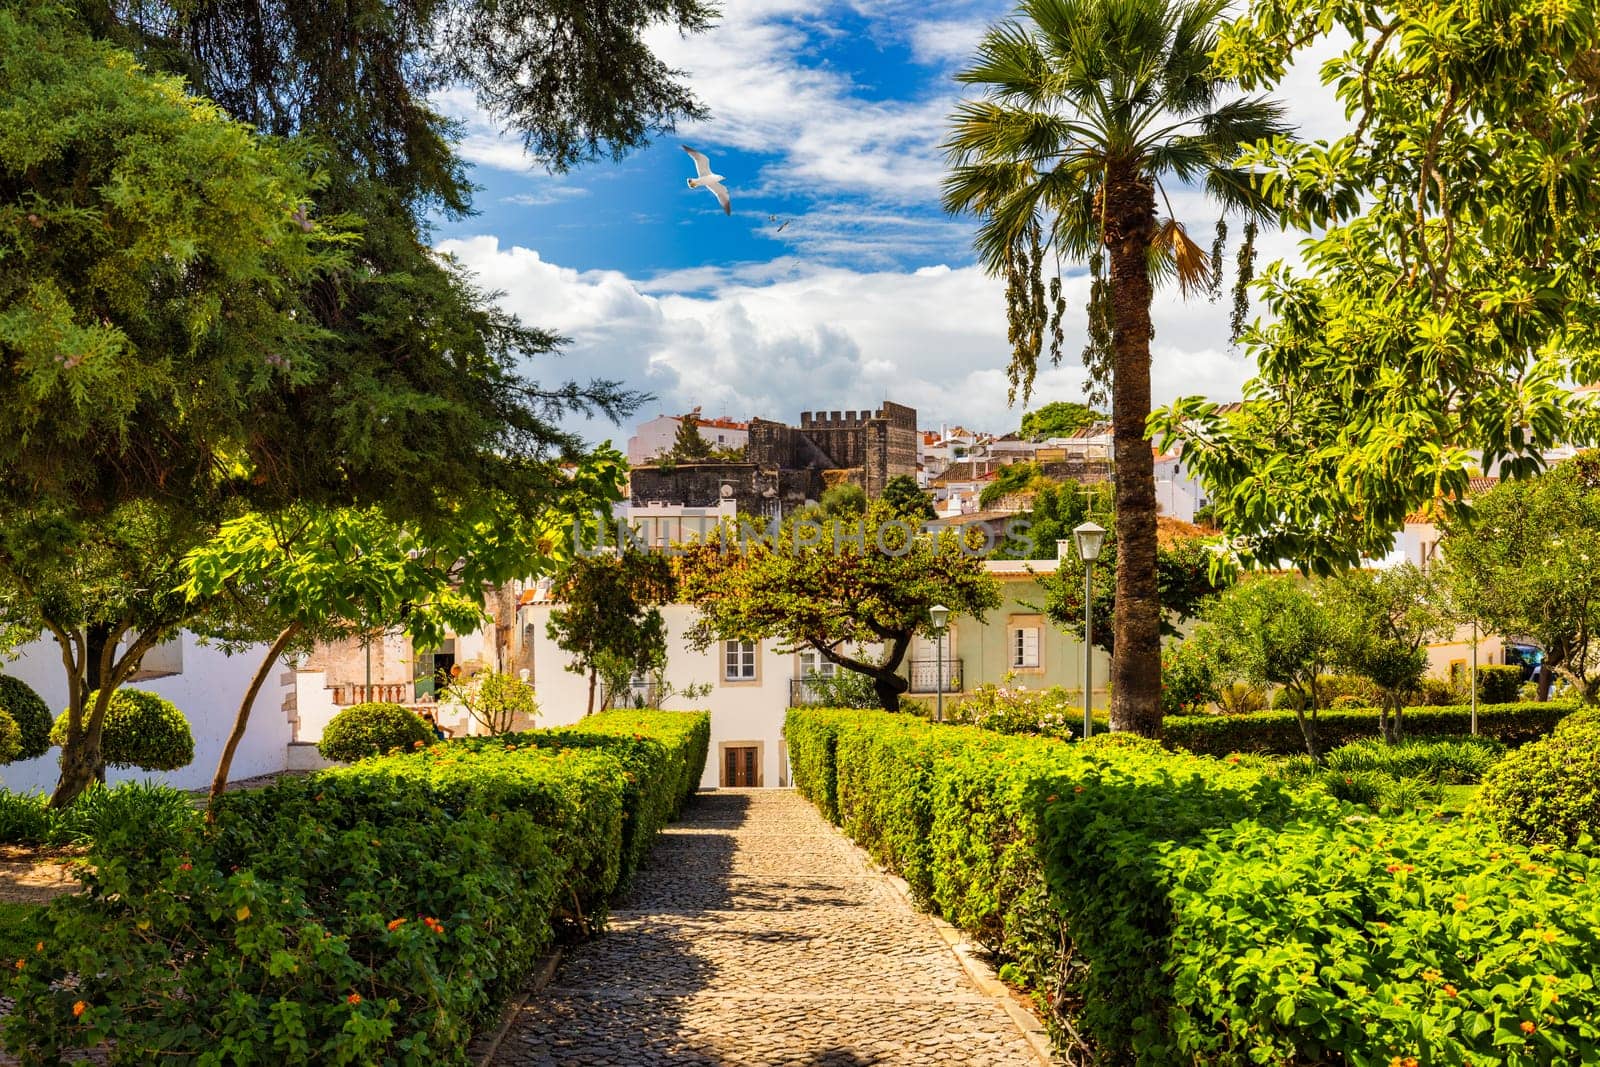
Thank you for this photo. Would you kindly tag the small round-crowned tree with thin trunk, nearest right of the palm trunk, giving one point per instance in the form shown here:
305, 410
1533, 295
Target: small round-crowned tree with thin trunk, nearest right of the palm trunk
1273, 631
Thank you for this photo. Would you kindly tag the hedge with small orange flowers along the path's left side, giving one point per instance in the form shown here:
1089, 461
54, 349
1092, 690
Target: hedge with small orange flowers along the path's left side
374, 914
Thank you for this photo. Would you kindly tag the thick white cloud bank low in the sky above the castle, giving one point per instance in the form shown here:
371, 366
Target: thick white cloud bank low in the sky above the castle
822, 338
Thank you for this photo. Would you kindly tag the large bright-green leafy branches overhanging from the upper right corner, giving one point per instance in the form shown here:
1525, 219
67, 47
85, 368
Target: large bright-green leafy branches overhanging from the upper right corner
1449, 279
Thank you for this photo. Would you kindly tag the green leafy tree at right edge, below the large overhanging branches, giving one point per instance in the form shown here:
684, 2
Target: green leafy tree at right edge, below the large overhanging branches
1524, 564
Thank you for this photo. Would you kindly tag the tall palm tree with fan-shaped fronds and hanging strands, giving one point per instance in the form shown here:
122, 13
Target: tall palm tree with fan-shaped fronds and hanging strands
1089, 106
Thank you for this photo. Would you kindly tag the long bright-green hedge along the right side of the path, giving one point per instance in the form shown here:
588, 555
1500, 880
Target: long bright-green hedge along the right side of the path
1178, 909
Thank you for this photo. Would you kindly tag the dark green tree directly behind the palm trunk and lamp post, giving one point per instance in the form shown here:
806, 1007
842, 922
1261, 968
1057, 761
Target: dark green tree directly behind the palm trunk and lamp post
1188, 575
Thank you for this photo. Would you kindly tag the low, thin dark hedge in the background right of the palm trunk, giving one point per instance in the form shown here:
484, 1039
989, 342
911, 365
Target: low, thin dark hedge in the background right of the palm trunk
1279, 733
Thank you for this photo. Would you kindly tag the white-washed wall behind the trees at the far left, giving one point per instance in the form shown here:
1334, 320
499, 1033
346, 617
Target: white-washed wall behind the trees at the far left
207, 692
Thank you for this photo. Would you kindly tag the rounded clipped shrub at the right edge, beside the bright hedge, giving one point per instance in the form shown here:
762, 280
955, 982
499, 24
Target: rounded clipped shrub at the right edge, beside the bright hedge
1548, 791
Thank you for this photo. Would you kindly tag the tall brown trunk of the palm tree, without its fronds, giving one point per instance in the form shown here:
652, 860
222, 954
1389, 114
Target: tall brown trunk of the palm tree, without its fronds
1137, 658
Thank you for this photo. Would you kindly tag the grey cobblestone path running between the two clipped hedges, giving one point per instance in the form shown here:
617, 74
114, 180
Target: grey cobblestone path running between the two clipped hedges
756, 937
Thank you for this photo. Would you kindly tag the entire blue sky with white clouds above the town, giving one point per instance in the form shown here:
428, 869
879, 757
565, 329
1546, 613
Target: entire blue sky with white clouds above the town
826, 116
